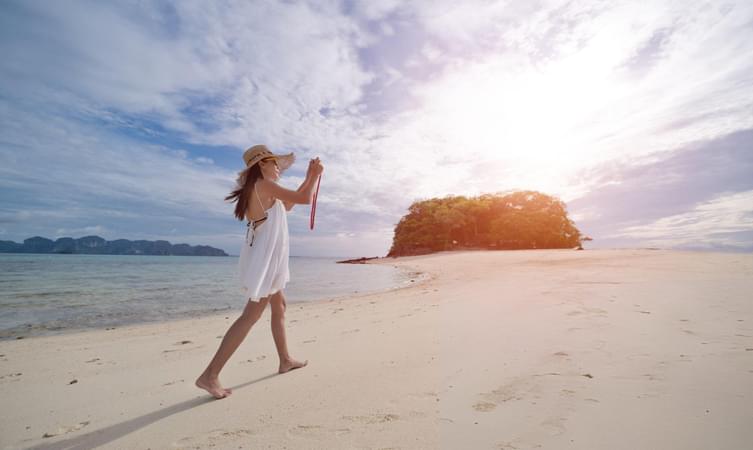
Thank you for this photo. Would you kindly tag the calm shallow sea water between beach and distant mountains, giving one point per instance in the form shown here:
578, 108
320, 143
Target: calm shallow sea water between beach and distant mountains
54, 293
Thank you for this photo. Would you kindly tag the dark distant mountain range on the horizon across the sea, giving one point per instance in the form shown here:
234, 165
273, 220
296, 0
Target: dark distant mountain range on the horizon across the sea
95, 245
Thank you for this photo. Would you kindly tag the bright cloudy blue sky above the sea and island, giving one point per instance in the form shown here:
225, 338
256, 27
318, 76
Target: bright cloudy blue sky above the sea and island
129, 119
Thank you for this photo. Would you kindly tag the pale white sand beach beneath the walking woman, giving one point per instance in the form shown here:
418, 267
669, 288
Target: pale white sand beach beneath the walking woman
552, 349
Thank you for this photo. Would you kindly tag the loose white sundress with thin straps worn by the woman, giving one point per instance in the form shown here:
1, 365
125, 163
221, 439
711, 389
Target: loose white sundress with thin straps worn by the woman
263, 262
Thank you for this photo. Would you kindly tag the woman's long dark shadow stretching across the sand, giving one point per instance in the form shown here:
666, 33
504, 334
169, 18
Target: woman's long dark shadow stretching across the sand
95, 438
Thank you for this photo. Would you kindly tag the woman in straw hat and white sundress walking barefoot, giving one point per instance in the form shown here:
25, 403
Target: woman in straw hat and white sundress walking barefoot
263, 262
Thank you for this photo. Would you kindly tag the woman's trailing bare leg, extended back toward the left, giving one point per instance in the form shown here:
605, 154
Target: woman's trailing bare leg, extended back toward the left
209, 379
